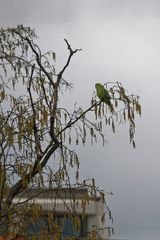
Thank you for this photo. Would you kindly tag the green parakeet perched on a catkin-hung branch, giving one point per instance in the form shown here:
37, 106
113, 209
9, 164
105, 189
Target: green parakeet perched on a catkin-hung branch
103, 94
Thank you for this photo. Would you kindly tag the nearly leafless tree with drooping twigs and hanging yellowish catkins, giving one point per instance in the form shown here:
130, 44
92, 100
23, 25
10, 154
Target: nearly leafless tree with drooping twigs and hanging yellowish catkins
35, 130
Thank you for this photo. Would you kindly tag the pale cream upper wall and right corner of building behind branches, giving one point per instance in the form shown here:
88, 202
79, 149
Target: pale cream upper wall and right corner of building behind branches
60, 203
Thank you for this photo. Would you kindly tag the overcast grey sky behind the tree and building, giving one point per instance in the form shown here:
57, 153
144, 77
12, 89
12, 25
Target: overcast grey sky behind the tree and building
121, 42
